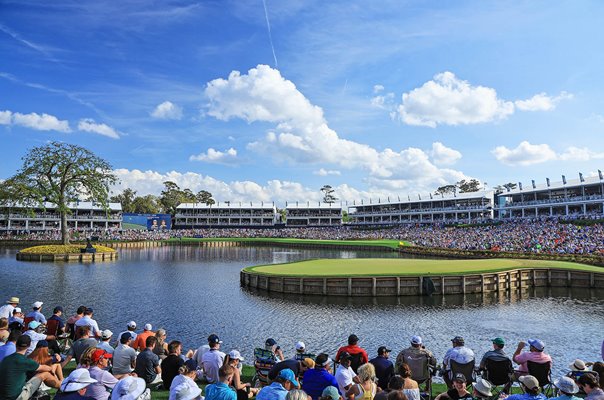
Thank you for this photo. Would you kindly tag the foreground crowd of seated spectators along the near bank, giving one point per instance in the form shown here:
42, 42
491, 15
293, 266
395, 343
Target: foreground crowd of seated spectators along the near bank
35, 349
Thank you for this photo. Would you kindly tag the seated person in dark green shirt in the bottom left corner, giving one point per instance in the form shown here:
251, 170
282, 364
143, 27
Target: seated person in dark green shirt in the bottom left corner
14, 369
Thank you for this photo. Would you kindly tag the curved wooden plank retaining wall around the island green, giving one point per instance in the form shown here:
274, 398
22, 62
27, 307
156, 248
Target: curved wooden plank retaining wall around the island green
508, 281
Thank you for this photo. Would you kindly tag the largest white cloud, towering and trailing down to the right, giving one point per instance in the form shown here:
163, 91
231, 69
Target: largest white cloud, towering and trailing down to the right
302, 134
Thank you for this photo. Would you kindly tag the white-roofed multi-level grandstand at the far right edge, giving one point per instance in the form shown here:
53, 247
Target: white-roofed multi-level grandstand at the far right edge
573, 198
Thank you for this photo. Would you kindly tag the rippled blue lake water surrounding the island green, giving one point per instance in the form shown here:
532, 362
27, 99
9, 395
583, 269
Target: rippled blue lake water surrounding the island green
194, 291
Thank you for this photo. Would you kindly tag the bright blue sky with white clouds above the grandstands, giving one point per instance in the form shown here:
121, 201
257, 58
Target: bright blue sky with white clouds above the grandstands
267, 100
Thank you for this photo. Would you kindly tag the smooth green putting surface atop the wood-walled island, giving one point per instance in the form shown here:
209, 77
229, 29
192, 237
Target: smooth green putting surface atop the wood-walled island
407, 266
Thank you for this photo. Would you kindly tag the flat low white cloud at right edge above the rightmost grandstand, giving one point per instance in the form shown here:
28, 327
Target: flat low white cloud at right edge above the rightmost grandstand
527, 154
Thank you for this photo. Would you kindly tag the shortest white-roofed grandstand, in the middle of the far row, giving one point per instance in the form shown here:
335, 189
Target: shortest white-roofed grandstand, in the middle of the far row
301, 215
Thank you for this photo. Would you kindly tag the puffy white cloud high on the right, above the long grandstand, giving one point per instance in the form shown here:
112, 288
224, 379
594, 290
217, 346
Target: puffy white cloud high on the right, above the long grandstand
452, 101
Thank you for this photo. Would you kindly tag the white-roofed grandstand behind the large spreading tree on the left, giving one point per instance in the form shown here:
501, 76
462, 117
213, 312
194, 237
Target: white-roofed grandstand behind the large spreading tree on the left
84, 215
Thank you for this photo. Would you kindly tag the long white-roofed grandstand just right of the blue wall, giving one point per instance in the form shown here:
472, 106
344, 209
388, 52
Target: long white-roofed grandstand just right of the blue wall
197, 215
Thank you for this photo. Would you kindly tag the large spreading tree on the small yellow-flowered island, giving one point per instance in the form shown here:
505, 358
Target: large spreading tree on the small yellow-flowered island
60, 173
